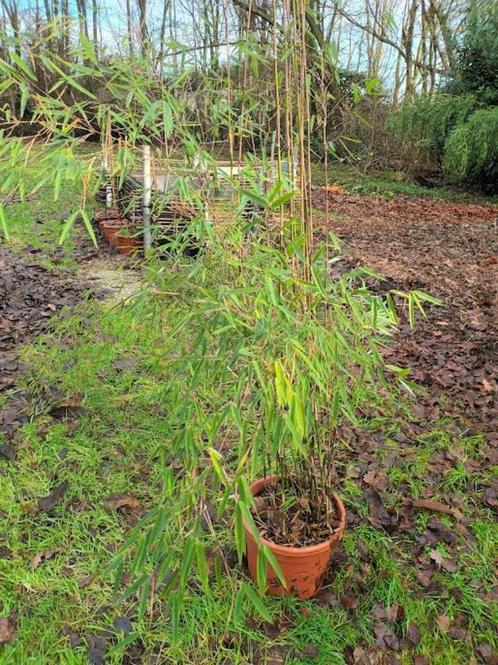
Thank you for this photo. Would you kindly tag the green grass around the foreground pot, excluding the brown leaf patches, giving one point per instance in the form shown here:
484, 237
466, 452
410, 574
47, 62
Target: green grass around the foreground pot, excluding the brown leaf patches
121, 360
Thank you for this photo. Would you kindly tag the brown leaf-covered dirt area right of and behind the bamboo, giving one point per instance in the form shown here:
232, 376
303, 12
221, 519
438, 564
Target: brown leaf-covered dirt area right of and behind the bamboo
449, 250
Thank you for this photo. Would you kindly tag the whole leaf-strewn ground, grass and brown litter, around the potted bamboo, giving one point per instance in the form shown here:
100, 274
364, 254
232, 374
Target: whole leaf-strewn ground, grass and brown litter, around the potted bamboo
415, 579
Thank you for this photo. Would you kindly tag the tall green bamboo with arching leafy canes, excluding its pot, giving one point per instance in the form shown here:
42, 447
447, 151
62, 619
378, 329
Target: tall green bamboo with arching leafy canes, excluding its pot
280, 354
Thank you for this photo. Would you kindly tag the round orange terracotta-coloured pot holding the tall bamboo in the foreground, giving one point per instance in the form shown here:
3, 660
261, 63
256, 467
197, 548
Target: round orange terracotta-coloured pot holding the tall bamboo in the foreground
302, 567
